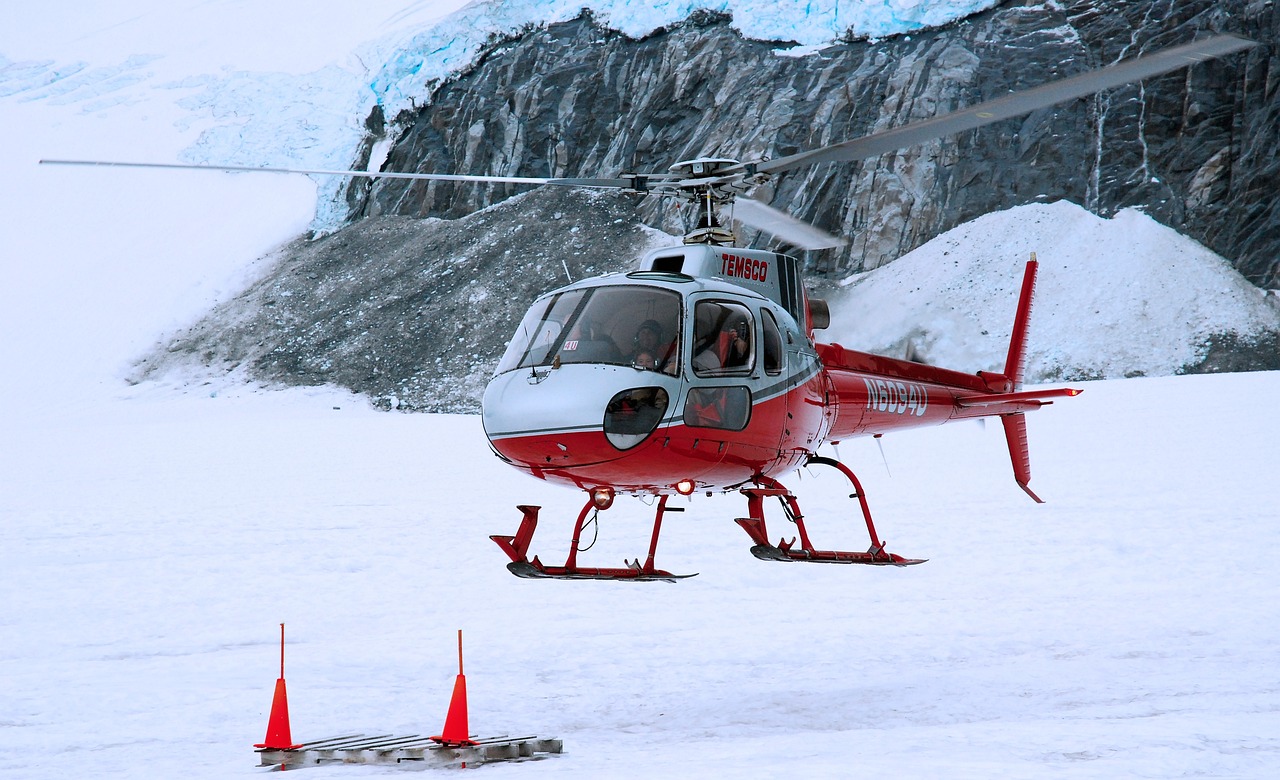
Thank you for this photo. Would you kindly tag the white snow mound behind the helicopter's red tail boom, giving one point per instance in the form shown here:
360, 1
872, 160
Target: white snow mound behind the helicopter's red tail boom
1116, 298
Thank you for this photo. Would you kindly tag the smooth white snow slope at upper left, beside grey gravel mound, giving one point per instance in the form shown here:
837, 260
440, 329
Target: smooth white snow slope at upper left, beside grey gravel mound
98, 266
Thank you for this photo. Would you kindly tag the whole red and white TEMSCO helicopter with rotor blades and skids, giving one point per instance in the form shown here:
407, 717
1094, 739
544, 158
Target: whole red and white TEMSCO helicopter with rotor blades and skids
702, 372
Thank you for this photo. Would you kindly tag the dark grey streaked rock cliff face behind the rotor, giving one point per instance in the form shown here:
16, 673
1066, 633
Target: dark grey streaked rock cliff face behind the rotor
1196, 149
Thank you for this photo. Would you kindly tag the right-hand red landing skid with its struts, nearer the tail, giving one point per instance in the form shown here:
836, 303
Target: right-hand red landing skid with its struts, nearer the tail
806, 553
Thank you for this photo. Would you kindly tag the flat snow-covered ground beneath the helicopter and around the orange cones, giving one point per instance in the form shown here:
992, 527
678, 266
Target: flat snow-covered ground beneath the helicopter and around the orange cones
1127, 628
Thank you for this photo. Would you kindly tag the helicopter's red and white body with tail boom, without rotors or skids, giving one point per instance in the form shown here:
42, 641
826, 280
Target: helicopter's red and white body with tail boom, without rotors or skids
698, 373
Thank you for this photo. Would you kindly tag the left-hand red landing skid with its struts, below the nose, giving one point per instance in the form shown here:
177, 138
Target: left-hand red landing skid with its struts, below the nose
518, 550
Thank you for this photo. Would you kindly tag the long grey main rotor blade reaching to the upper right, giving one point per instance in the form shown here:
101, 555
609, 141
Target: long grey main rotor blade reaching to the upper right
1011, 106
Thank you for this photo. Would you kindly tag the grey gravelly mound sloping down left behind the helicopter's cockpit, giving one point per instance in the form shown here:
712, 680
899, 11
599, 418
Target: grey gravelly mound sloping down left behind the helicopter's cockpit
413, 314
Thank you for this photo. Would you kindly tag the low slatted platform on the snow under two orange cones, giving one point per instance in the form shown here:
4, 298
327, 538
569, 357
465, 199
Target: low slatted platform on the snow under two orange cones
386, 749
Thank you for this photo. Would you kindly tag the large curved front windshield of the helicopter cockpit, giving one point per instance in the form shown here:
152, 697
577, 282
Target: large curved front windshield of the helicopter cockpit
623, 325
